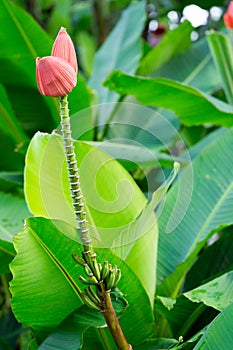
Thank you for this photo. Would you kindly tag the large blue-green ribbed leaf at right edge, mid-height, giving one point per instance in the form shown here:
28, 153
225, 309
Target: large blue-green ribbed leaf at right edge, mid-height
206, 214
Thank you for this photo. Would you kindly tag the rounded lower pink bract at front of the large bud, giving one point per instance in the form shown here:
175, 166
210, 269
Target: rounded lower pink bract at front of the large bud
55, 77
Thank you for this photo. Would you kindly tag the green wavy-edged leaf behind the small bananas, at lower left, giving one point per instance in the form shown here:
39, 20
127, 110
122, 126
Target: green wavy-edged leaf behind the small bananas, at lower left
51, 277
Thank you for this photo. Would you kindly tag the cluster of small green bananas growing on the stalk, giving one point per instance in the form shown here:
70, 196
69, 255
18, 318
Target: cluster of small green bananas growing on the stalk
98, 275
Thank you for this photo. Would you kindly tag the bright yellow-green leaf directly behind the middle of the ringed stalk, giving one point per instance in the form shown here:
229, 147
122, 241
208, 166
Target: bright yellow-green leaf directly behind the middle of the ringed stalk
108, 208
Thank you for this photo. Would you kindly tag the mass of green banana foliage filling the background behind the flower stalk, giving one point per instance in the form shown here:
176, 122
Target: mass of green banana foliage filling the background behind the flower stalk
176, 265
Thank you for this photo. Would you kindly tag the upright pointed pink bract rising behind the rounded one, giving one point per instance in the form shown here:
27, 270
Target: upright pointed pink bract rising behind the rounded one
63, 47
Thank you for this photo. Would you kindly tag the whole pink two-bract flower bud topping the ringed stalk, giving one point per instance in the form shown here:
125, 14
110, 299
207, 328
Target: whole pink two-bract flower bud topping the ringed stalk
56, 75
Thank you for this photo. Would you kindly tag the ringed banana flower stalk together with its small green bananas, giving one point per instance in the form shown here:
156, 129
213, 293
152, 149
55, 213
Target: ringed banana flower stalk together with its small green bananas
100, 278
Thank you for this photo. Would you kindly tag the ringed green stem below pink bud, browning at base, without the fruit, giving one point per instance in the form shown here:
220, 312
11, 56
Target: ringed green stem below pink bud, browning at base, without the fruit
80, 215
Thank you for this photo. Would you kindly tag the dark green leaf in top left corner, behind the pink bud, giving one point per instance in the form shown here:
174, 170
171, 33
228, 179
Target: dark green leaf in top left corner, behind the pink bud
18, 60
